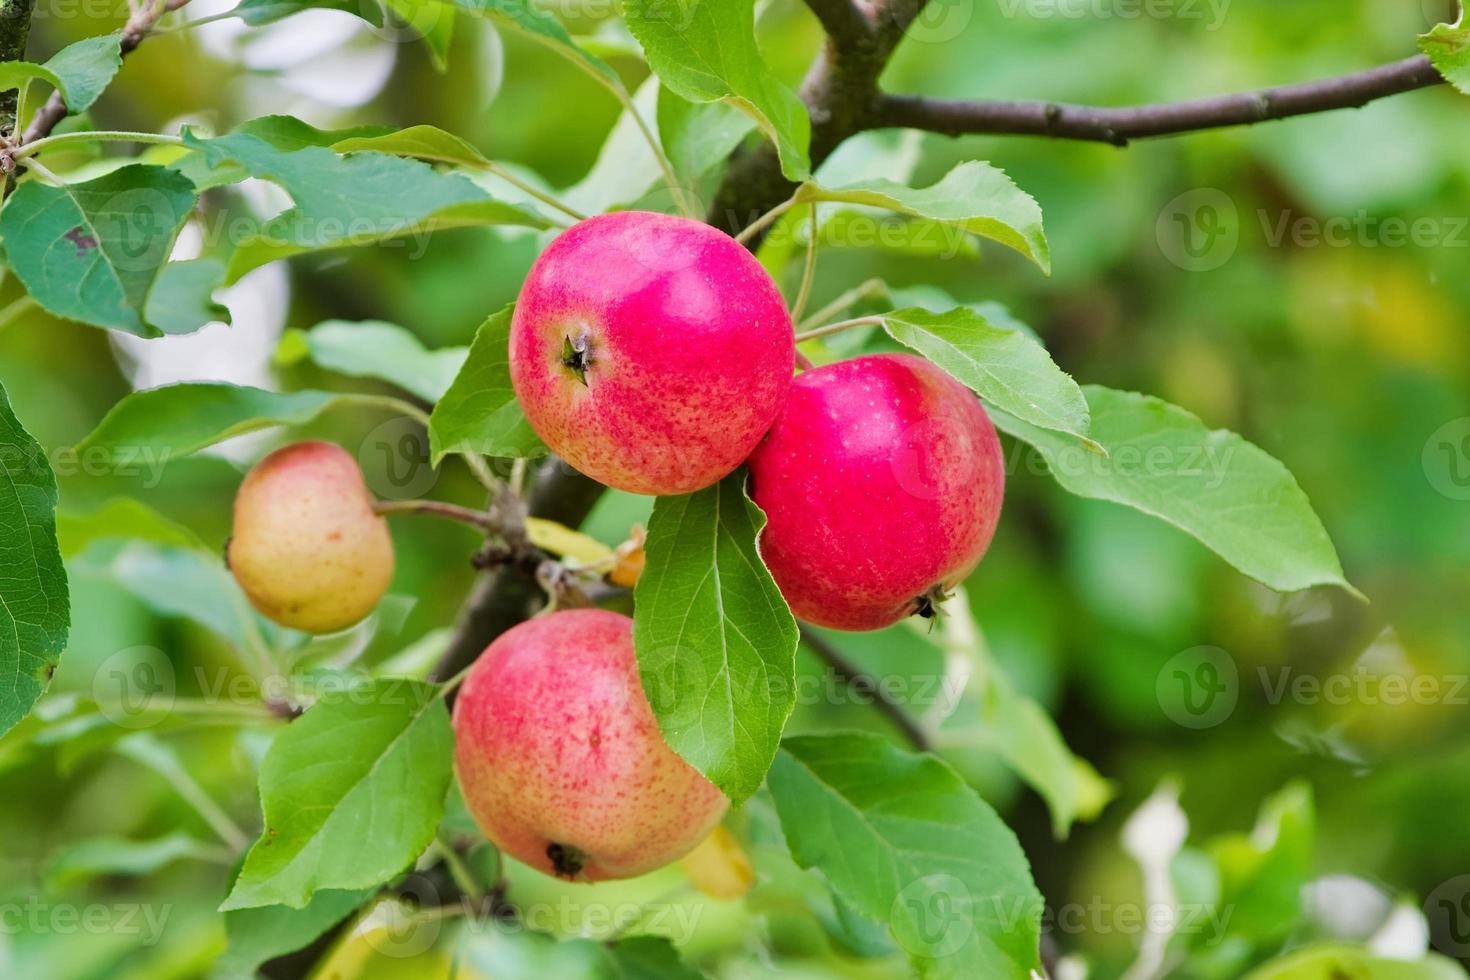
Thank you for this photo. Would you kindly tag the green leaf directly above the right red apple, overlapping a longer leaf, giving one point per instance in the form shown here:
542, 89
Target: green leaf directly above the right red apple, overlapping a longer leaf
1006, 368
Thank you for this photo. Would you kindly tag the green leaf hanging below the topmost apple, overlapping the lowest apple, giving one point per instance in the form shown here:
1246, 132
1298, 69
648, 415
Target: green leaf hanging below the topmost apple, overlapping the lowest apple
717, 643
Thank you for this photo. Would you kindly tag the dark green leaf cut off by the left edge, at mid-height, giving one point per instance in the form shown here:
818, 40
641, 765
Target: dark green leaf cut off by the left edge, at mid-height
35, 603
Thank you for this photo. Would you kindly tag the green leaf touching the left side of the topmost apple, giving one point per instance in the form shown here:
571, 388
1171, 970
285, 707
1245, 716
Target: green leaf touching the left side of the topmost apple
480, 412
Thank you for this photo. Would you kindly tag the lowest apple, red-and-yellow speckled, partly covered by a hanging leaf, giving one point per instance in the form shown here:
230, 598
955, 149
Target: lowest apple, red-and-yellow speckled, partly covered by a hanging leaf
561, 759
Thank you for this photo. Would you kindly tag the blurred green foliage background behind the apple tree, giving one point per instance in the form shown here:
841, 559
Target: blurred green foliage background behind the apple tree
1346, 359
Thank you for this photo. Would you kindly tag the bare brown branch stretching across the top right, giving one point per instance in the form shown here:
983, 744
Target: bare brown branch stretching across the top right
1137, 123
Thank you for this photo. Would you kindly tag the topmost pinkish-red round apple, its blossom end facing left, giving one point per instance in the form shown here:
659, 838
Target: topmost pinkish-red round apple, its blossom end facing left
650, 352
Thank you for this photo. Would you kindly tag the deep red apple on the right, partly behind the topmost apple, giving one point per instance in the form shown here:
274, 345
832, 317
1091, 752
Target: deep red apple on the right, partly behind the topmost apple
883, 483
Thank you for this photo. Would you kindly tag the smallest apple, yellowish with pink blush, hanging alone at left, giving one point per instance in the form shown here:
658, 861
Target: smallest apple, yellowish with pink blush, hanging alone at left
308, 549
